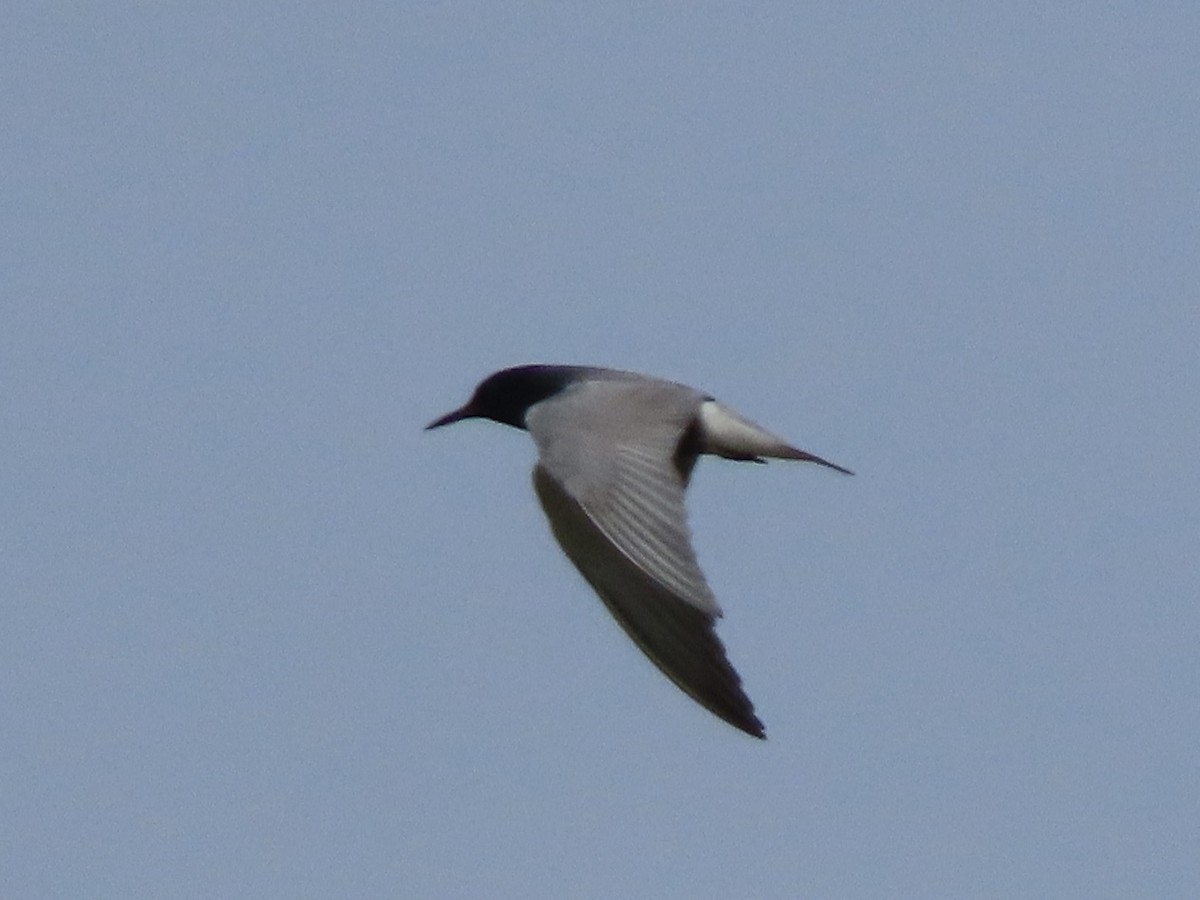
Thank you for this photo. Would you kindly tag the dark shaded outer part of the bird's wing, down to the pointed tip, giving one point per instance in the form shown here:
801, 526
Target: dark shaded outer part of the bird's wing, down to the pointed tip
677, 637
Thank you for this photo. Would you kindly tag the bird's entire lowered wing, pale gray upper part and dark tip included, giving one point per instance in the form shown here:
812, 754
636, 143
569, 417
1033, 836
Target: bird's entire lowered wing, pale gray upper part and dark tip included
615, 499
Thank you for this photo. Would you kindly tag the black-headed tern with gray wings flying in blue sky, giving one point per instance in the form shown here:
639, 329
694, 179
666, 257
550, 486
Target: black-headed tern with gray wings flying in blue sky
616, 452
